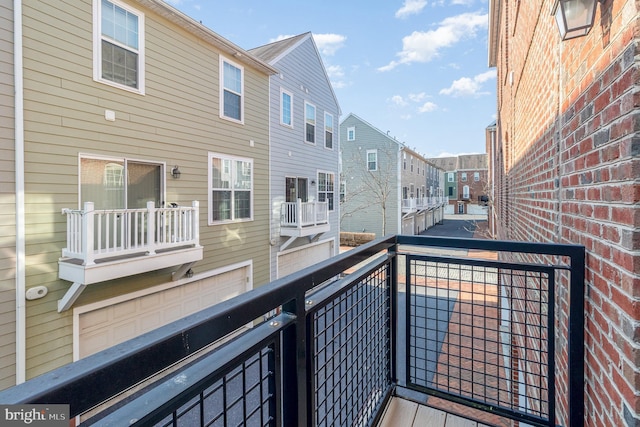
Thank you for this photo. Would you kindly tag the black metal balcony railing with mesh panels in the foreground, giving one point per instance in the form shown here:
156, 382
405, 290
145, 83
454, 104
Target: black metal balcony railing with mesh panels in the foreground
390, 317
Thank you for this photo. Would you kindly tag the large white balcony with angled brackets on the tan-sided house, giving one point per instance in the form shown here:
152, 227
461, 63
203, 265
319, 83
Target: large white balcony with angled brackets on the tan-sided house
108, 244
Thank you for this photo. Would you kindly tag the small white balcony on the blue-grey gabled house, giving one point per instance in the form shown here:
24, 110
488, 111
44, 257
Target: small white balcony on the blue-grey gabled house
301, 219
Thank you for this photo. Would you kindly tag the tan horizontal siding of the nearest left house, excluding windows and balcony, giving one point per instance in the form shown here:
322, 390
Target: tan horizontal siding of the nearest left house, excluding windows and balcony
176, 122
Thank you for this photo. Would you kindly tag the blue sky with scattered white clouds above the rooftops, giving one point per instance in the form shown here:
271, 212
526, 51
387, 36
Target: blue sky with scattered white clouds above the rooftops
415, 68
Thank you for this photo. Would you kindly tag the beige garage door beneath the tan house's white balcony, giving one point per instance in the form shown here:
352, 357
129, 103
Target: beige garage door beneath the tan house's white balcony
107, 326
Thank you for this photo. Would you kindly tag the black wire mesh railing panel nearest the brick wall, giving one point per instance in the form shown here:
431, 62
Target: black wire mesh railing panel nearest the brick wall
481, 332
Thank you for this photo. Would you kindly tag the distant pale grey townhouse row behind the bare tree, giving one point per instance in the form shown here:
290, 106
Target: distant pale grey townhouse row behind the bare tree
386, 187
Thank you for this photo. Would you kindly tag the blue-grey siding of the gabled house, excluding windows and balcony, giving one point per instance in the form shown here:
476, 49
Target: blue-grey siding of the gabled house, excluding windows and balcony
302, 75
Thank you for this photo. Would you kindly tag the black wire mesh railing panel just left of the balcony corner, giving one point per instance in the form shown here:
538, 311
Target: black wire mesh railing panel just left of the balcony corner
352, 353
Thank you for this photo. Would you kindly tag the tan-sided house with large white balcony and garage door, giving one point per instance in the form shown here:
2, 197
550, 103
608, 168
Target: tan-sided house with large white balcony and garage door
146, 151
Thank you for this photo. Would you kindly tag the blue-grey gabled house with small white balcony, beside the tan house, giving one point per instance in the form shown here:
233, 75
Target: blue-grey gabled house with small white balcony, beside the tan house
304, 153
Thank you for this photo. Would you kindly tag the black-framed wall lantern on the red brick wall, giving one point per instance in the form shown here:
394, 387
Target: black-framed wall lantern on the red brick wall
575, 17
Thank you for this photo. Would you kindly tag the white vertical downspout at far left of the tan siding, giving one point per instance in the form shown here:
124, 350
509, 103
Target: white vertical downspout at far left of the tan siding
20, 203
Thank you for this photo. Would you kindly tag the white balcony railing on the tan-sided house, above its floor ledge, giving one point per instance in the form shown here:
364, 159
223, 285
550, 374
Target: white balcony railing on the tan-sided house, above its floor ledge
98, 234
